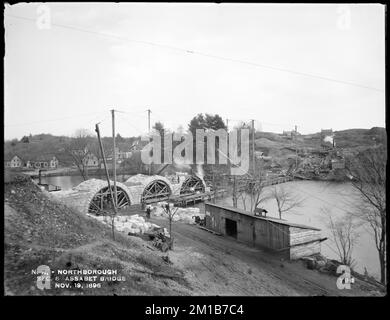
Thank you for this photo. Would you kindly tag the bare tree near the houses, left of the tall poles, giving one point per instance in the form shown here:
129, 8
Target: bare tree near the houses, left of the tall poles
79, 148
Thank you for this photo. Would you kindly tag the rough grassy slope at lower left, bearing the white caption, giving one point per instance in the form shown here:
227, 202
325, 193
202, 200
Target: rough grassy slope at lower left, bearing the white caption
40, 231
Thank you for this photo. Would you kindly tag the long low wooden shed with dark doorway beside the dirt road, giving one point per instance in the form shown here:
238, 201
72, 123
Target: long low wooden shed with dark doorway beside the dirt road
290, 239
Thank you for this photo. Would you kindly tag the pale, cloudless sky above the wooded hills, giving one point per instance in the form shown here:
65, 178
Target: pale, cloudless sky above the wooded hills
314, 65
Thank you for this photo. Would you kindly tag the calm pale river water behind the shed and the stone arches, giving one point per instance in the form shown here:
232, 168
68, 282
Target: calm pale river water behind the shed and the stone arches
319, 197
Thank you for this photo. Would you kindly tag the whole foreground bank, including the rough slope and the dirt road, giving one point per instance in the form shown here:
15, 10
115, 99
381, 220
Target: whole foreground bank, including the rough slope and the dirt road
200, 264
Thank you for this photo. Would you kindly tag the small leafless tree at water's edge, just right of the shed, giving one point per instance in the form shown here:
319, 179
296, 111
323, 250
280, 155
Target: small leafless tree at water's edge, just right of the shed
344, 233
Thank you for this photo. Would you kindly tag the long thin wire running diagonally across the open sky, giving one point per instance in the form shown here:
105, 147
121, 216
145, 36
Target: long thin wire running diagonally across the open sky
187, 51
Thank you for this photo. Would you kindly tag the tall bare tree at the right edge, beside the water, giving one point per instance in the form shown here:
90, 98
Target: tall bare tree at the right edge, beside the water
368, 171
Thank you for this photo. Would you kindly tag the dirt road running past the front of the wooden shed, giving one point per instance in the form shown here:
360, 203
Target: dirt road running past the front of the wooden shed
218, 265
